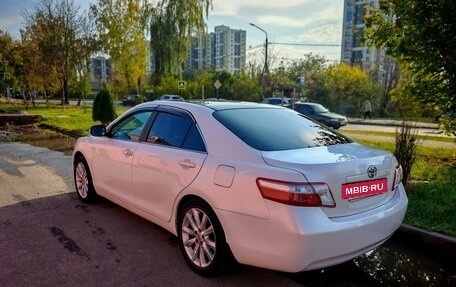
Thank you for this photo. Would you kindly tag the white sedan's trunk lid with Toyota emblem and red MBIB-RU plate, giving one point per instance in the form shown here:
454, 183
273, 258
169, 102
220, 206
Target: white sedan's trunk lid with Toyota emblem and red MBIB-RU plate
360, 178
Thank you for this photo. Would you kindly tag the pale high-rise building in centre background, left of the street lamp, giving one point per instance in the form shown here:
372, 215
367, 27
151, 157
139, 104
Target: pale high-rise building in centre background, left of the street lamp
223, 49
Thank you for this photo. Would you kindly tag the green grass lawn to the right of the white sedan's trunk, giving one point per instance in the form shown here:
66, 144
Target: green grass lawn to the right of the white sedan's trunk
432, 186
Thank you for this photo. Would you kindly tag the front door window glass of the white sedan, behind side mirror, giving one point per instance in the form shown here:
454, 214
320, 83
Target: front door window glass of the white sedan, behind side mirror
131, 127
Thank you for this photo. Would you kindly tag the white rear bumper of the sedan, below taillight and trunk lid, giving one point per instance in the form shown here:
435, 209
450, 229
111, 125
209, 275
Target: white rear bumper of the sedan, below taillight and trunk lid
294, 239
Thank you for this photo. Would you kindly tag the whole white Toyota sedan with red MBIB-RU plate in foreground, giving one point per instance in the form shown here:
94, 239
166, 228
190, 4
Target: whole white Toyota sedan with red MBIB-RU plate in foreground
257, 183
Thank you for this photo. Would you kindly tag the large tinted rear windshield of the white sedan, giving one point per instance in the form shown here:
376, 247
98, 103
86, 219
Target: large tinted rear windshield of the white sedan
274, 129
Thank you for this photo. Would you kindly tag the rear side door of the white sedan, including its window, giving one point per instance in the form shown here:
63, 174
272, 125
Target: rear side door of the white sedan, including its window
167, 162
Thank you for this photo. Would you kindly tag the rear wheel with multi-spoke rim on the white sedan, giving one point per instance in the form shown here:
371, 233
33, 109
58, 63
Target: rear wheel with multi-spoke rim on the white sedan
201, 239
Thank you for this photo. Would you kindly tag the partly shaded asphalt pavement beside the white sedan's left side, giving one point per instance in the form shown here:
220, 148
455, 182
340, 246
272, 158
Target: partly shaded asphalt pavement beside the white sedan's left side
49, 238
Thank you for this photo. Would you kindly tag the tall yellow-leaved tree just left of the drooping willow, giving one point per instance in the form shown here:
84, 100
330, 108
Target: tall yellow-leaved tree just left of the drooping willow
122, 30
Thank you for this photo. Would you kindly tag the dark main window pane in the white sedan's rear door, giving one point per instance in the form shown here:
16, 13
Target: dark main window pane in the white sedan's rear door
169, 129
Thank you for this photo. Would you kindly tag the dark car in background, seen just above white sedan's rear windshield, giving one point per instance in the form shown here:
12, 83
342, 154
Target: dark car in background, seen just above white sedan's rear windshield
321, 114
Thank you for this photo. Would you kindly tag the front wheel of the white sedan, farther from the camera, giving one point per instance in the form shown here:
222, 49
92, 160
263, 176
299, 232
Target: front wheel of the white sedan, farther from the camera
83, 181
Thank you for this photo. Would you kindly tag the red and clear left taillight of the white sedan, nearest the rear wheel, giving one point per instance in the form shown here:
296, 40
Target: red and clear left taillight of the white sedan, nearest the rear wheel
298, 194
